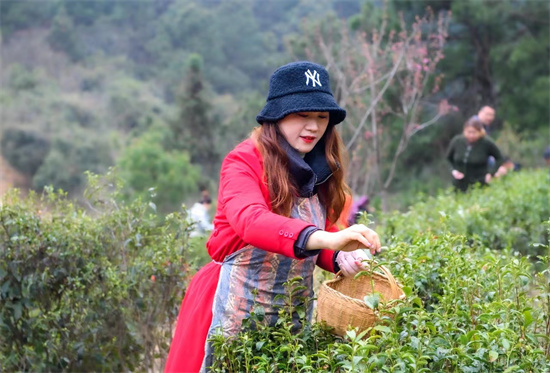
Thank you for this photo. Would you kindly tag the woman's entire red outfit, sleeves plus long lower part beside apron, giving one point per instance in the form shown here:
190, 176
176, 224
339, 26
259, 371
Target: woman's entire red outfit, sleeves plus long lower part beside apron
243, 217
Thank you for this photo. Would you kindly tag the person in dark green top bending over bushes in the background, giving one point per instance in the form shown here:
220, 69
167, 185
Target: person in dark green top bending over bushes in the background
468, 154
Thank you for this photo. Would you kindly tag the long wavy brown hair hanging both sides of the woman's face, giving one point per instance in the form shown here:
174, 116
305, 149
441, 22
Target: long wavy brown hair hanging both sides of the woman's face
282, 191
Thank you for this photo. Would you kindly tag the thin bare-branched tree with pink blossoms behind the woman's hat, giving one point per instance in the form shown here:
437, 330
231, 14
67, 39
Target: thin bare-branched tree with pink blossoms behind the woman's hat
384, 78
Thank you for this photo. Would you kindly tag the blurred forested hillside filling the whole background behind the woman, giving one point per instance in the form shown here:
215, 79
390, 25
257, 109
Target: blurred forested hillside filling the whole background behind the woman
163, 89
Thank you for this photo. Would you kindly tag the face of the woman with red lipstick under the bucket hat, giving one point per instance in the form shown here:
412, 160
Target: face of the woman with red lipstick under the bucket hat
304, 130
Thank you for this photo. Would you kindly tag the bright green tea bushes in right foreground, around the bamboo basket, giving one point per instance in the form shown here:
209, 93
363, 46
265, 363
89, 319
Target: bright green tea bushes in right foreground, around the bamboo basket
485, 312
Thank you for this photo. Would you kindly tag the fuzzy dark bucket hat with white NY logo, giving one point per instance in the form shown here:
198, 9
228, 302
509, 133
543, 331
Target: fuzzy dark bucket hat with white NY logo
300, 86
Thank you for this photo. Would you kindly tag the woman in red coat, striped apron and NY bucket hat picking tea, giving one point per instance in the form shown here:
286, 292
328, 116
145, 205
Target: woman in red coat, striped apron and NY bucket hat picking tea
279, 192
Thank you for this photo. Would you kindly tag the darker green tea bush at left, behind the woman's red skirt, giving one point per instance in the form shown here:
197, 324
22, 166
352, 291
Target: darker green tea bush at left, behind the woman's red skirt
94, 289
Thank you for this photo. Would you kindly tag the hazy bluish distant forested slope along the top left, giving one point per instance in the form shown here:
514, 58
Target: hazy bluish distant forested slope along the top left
240, 41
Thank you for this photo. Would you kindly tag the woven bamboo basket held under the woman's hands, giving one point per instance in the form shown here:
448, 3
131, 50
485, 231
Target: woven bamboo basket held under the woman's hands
341, 304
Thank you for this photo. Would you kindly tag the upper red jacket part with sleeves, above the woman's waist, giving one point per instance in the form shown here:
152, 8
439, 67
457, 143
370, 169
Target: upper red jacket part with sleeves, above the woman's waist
244, 213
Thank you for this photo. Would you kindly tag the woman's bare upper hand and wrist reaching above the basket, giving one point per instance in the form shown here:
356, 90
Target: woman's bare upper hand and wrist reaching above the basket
357, 236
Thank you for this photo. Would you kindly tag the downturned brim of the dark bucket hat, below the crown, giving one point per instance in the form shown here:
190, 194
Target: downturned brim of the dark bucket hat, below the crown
278, 108
